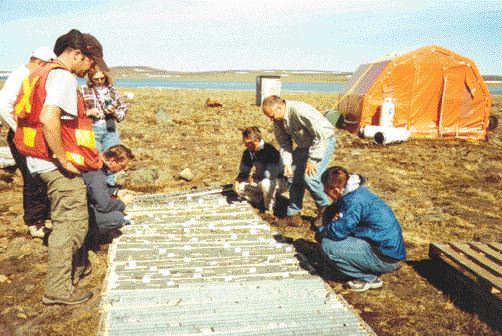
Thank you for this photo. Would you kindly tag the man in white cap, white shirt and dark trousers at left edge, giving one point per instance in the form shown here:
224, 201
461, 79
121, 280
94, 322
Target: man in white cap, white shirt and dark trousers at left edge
35, 201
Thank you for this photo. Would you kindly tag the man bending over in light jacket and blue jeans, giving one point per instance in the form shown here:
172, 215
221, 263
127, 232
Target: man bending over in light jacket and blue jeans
299, 123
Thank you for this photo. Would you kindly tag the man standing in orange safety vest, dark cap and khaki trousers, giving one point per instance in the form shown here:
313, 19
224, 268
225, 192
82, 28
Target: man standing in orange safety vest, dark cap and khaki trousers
56, 136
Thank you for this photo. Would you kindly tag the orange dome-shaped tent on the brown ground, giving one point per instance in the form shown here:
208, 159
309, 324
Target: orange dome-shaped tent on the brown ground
436, 94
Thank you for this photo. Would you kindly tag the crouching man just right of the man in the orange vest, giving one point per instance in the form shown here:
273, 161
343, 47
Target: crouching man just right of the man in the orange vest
107, 204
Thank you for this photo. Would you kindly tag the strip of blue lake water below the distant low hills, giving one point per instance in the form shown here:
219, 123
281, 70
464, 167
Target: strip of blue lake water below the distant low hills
197, 84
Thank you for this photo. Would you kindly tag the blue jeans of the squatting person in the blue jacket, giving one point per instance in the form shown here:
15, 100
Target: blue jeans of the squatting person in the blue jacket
355, 258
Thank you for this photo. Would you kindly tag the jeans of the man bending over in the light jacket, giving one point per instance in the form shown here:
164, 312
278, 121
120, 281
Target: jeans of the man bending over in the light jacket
312, 183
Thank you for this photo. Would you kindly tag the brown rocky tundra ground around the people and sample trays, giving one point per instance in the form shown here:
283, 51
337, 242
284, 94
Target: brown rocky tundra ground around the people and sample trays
440, 191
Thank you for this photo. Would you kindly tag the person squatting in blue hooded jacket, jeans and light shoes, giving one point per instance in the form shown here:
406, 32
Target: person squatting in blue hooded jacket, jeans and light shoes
360, 235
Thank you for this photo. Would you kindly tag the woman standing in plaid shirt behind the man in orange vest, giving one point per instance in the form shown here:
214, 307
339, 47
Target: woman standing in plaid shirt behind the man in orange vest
105, 107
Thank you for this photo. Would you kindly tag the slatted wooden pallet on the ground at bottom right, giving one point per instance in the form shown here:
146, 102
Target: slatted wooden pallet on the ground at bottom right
480, 262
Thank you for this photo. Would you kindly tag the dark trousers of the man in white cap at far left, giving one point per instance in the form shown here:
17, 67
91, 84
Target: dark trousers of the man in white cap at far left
36, 204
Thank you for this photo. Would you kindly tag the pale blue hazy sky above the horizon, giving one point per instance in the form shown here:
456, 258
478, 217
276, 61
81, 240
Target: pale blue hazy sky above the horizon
210, 35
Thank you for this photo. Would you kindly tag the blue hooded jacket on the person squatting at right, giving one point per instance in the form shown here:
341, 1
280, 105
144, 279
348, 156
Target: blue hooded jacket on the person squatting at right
362, 214
